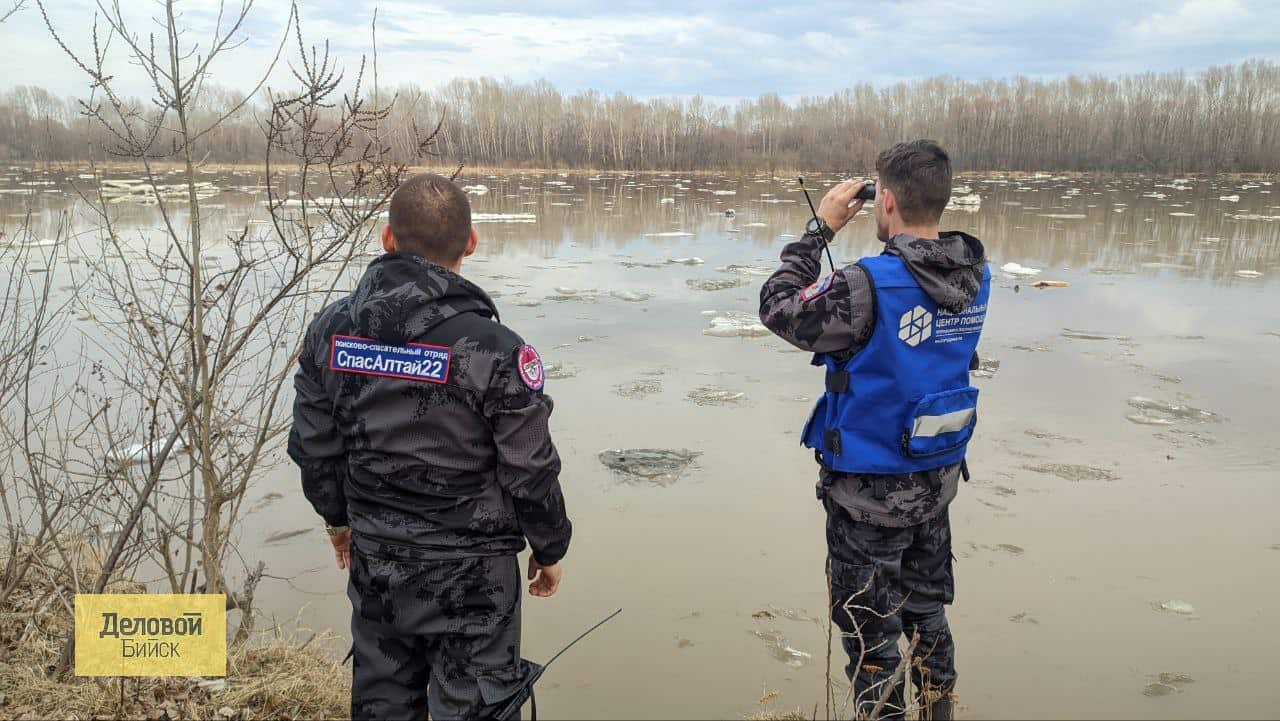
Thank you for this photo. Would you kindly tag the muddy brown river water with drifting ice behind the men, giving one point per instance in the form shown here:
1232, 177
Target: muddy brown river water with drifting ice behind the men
1080, 522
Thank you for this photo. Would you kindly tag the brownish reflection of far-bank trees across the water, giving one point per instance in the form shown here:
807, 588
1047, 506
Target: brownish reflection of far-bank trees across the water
1192, 229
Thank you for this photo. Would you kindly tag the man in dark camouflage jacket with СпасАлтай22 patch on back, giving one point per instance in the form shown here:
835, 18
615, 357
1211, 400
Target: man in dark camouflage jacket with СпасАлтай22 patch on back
422, 432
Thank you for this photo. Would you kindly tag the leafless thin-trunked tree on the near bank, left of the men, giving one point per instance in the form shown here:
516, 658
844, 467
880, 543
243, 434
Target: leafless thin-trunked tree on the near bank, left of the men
199, 334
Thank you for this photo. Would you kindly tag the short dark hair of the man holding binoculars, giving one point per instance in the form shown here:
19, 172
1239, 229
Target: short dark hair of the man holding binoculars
920, 175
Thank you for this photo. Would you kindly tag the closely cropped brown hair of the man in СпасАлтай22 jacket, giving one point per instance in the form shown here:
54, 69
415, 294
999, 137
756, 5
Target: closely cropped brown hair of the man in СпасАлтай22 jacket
431, 218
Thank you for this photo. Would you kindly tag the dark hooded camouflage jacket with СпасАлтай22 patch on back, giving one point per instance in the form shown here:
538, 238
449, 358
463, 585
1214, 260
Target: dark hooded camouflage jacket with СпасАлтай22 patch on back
446, 459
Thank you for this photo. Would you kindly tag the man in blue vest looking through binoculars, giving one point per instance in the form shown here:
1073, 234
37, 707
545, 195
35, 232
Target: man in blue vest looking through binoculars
898, 335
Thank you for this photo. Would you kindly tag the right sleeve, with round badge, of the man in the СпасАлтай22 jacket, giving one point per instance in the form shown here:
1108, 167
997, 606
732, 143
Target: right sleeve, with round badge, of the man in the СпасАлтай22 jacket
528, 463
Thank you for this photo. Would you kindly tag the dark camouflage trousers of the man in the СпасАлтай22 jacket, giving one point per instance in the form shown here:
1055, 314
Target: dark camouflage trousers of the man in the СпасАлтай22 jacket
433, 636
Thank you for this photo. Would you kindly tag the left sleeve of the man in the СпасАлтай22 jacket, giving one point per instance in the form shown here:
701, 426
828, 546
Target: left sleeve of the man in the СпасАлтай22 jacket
316, 442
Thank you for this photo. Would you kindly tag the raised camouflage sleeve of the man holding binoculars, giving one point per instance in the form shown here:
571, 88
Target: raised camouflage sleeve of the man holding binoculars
830, 314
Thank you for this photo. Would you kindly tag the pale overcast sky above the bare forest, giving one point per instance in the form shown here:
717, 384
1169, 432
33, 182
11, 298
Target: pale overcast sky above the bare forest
719, 49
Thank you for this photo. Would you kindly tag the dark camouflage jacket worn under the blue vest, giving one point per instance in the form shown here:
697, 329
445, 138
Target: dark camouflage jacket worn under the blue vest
836, 314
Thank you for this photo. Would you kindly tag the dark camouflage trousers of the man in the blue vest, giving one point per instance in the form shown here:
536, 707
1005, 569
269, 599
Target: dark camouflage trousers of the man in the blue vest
886, 582
